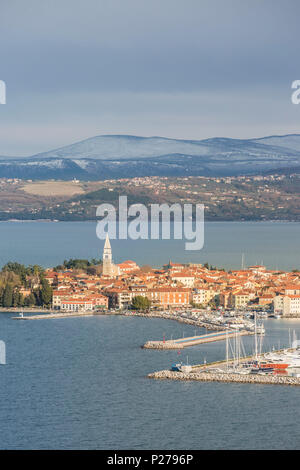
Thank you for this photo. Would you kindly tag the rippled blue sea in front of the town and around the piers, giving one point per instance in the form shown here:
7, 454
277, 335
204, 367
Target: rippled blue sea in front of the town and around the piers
81, 383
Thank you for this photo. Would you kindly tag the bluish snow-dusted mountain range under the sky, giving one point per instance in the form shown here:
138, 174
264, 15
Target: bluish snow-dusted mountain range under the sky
122, 156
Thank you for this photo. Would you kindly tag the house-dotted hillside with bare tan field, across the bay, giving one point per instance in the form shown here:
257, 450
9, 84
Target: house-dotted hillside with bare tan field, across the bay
269, 197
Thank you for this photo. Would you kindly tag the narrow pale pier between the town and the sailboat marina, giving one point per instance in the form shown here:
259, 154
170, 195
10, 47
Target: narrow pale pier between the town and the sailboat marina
194, 340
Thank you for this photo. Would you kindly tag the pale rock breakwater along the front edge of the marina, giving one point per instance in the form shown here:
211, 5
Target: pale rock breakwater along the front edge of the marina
202, 376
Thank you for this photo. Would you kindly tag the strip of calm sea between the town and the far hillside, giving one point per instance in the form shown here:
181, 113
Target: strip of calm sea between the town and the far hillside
49, 243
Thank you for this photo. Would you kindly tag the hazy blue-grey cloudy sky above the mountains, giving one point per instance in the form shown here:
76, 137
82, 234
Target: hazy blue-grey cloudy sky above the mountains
187, 69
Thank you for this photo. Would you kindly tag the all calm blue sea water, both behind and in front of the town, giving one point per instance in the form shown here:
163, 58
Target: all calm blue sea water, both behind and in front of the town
81, 382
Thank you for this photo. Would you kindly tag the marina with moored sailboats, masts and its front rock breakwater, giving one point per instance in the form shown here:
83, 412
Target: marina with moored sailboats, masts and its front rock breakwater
280, 366
